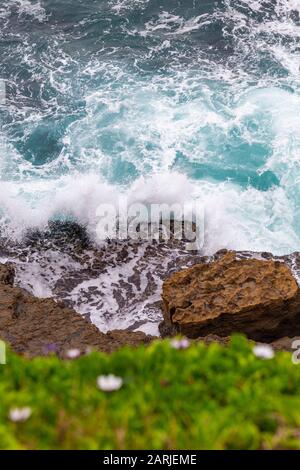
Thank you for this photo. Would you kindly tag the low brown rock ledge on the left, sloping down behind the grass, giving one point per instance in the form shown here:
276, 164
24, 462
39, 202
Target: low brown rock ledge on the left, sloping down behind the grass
35, 326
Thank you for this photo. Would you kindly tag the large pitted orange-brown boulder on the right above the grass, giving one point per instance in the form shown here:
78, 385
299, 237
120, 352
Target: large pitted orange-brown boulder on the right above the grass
258, 297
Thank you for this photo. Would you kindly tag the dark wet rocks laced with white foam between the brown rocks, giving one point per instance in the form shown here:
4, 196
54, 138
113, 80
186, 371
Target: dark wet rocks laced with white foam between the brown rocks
115, 285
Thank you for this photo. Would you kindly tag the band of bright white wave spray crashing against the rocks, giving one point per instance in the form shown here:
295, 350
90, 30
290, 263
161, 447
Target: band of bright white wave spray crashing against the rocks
248, 219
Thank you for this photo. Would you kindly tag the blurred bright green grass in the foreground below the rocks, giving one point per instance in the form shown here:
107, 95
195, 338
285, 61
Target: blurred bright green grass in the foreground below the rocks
199, 398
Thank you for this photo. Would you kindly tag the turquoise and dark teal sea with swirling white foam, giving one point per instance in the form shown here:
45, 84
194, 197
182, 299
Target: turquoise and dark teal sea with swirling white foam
159, 100
